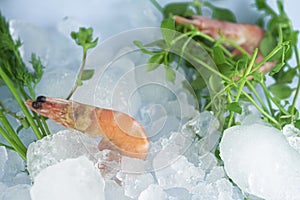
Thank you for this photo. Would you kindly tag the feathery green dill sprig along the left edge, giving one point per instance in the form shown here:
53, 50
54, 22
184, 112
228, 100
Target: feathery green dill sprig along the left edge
22, 83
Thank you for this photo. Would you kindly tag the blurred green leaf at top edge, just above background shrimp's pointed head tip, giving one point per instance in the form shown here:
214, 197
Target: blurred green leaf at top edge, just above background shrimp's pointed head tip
176, 9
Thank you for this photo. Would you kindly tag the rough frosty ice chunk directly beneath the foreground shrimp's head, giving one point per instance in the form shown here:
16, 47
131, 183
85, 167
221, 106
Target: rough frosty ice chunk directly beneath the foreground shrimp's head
57, 147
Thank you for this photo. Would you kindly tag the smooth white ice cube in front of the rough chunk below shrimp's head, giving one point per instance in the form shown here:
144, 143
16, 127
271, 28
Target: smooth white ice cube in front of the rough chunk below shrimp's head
74, 179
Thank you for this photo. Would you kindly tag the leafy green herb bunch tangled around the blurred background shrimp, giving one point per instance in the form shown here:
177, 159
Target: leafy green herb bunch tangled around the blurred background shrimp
278, 45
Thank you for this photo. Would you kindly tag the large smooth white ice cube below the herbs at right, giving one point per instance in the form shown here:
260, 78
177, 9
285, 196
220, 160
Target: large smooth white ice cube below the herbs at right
261, 162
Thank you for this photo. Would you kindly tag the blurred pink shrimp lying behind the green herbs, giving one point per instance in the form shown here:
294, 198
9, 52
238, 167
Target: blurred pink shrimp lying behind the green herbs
248, 36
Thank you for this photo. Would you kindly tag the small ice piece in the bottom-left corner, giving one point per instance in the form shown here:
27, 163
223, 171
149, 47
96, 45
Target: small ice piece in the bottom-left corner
20, 192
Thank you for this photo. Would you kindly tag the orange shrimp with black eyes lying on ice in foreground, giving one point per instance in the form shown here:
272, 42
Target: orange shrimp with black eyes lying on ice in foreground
119, 131
